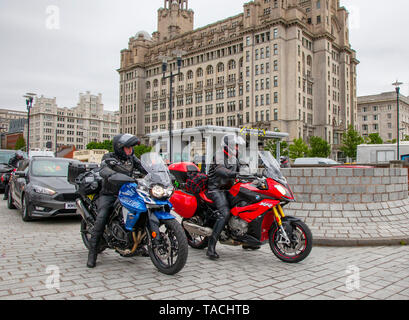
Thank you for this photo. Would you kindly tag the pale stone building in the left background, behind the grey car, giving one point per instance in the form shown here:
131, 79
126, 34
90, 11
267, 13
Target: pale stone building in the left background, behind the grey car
87, 122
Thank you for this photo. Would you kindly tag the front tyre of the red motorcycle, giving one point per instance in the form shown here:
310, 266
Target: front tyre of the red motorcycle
283, 251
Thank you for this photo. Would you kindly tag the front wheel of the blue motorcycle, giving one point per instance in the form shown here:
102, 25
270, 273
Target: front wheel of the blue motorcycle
169, 254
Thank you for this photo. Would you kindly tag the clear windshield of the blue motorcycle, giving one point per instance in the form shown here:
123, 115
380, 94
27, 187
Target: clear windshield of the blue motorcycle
158, 172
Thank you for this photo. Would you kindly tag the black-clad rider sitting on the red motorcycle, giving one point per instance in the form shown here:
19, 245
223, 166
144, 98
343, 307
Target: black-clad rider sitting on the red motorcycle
222, 175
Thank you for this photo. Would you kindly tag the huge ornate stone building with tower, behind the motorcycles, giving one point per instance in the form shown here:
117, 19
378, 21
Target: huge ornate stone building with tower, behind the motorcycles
280, 65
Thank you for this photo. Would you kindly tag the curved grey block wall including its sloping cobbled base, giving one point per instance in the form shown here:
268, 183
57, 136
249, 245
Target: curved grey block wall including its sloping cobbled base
351, 206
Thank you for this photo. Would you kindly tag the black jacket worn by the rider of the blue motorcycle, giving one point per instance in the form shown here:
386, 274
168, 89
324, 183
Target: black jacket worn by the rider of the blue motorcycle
127, 167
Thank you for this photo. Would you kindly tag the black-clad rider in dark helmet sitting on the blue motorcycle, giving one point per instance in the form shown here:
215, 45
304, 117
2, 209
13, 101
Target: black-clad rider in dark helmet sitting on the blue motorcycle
127, 163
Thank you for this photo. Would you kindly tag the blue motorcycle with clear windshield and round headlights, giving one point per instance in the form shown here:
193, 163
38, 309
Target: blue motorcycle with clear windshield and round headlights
141, 216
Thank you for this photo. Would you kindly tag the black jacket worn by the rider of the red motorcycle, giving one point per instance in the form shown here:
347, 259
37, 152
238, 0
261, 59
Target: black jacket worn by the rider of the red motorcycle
222, 173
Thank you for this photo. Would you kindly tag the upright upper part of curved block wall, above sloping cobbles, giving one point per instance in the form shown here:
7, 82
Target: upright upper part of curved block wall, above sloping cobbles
348, 185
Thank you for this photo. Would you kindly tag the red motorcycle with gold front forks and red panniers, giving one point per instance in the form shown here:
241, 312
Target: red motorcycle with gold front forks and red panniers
257, 214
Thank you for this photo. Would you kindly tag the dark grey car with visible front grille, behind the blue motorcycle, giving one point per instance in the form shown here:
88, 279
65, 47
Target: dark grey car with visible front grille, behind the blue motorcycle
39, 188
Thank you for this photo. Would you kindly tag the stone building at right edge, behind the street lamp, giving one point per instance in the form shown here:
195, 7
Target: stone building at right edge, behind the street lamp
378, 114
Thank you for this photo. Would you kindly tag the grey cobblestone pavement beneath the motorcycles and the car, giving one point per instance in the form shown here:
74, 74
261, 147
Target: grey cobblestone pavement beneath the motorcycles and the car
31, 253
